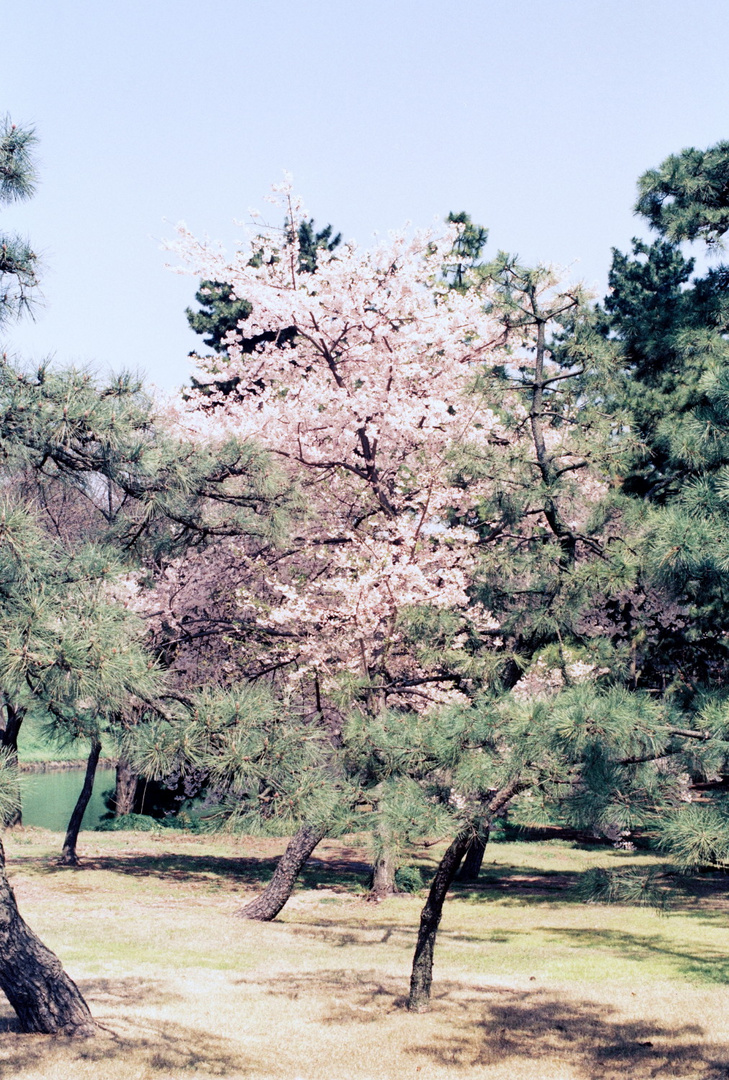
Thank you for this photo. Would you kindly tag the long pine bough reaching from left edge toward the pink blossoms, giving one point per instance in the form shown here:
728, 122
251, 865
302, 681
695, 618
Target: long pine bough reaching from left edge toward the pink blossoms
146, 488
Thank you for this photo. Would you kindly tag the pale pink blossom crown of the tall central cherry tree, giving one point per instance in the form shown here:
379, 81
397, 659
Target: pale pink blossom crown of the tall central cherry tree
364, 406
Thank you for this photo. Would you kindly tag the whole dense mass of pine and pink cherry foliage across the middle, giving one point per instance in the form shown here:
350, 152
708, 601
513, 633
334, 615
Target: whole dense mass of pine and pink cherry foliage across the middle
430, 539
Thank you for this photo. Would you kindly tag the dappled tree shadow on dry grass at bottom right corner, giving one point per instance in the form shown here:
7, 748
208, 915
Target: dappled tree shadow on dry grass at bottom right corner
494, 1027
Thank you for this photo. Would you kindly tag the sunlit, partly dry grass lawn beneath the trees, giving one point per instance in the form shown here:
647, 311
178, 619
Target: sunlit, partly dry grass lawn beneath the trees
530, 983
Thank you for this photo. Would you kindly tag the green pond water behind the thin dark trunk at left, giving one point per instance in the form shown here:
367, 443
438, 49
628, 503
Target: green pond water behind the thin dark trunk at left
49, 798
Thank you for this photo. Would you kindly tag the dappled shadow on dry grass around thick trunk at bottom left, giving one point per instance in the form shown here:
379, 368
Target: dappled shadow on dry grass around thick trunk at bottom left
154, 1047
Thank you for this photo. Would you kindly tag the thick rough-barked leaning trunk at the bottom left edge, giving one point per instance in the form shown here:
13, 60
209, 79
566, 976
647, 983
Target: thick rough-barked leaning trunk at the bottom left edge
38, 989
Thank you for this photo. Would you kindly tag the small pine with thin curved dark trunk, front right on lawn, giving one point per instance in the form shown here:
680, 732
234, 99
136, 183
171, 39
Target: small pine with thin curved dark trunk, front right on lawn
591, 757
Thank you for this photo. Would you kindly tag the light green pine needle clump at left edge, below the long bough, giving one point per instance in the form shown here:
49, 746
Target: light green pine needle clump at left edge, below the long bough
69, 650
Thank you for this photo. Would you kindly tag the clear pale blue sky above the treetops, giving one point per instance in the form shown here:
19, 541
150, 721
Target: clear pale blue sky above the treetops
537, 117
